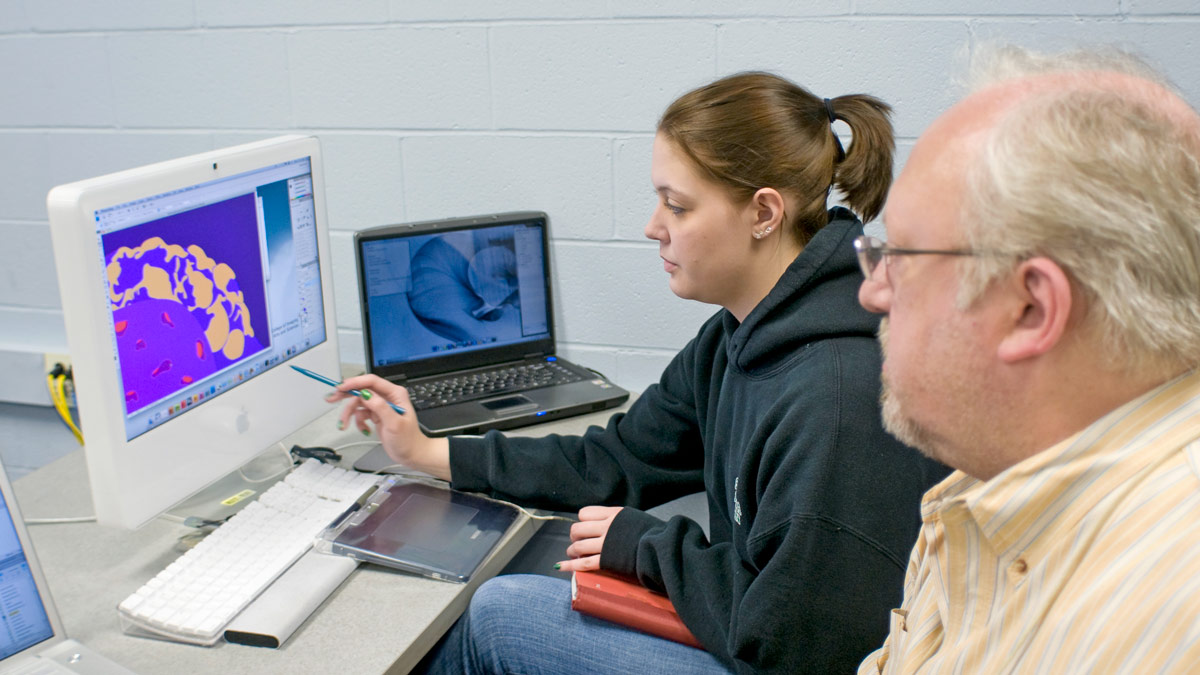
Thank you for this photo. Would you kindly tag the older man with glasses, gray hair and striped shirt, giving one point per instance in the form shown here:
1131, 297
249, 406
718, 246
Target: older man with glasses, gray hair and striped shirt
1042, 289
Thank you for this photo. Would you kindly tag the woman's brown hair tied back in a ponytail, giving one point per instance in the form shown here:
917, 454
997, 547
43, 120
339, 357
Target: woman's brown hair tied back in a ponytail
757, 130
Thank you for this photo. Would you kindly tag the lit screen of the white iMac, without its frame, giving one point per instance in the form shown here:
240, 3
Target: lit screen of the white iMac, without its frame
209, 286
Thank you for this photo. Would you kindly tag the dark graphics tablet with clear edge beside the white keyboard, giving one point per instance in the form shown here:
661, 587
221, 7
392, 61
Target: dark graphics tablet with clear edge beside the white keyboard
422, 529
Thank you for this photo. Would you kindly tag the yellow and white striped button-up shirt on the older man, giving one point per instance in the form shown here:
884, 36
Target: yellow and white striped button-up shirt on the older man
1082, 559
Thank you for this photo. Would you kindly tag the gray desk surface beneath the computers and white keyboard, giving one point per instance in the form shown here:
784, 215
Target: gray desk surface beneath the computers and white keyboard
377, 622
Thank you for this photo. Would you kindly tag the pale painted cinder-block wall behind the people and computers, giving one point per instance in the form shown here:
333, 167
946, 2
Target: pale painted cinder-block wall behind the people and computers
430, 109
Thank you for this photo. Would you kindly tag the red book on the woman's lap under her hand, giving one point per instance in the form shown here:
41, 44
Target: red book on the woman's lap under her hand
617, 600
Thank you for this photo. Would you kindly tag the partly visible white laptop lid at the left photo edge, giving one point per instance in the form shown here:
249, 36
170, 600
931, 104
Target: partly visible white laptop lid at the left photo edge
29, 620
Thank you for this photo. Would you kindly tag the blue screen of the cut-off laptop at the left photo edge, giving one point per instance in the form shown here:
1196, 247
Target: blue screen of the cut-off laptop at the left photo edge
23, 619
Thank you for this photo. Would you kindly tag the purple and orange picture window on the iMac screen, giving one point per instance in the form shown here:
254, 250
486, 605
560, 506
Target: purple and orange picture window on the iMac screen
188, 297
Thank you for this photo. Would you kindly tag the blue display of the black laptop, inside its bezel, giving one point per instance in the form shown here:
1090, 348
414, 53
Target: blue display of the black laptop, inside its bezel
451, 292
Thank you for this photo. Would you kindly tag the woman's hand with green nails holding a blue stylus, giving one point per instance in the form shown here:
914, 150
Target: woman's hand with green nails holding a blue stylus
401, 437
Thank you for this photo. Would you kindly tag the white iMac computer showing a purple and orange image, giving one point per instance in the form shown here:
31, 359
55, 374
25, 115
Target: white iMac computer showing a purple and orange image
187, 289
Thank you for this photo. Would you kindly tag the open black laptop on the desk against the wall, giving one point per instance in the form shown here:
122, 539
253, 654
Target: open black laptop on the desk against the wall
460, 312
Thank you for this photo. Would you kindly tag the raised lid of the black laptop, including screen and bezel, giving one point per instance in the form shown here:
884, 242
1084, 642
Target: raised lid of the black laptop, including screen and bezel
454, 295
